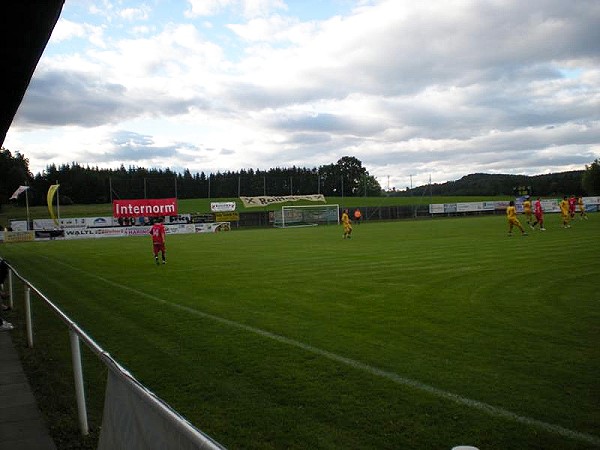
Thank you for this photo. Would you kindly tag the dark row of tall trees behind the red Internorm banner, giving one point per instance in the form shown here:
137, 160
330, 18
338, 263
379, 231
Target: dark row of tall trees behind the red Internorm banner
88, 185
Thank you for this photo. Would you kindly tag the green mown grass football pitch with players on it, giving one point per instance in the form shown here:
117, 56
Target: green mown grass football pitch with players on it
411, 335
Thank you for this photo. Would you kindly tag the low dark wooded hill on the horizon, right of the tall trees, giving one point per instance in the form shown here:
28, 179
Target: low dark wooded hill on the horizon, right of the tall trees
553, 184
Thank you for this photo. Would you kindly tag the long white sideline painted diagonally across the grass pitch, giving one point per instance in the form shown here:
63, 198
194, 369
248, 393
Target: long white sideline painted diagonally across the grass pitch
481, 406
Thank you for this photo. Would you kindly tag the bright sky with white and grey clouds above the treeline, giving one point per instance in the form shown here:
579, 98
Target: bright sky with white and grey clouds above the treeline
413, 89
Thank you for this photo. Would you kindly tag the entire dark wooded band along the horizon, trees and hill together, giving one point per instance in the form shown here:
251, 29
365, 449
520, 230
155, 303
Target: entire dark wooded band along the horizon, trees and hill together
345, 178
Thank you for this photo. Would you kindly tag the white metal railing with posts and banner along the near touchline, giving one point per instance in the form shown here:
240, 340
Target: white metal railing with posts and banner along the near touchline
134, 417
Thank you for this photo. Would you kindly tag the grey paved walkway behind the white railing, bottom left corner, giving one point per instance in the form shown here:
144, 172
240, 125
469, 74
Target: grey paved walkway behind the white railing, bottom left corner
21, 423
